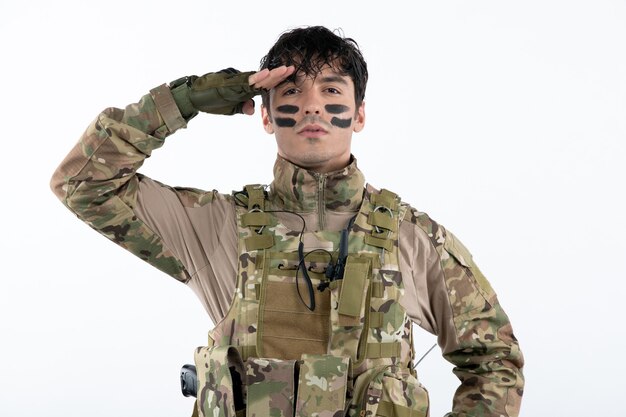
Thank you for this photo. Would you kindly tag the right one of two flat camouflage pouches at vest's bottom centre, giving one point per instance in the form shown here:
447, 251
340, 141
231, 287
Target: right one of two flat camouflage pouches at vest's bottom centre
322, 385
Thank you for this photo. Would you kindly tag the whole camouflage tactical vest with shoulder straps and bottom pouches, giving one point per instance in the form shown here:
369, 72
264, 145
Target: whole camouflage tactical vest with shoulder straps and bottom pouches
315, 327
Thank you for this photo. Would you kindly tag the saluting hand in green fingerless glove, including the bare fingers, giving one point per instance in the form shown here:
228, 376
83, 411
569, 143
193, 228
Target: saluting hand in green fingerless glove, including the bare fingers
230, 91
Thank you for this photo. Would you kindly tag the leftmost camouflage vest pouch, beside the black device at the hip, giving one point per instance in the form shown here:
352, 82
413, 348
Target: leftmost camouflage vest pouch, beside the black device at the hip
221, 391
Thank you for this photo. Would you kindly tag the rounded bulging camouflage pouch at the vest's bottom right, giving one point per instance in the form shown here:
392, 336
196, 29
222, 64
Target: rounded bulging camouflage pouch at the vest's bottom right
382, 393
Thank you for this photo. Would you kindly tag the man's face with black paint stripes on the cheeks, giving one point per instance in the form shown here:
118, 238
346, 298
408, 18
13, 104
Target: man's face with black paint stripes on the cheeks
313, 120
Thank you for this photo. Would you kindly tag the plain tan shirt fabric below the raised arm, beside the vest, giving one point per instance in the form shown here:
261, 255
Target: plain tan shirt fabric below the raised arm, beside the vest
199, 228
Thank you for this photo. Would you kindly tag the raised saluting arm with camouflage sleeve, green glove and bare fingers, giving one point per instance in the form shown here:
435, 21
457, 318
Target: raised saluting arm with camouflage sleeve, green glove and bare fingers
98, 179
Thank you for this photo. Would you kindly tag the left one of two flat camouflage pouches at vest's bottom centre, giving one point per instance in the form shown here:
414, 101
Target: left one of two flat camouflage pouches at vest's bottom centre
270, 387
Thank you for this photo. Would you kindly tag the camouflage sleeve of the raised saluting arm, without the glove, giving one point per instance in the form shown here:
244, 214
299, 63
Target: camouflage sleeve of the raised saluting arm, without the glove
97, 180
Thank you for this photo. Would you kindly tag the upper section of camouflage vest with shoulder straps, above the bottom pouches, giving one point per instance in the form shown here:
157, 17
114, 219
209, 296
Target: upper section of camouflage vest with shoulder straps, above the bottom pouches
361, 307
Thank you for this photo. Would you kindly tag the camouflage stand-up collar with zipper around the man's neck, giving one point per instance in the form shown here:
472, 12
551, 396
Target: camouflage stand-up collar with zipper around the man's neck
300, 190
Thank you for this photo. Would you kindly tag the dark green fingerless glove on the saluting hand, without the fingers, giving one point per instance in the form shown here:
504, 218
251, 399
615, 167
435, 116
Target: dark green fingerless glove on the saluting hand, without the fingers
223, 92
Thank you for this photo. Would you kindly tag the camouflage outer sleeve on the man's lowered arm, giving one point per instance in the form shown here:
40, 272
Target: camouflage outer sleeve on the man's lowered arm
474, 332
